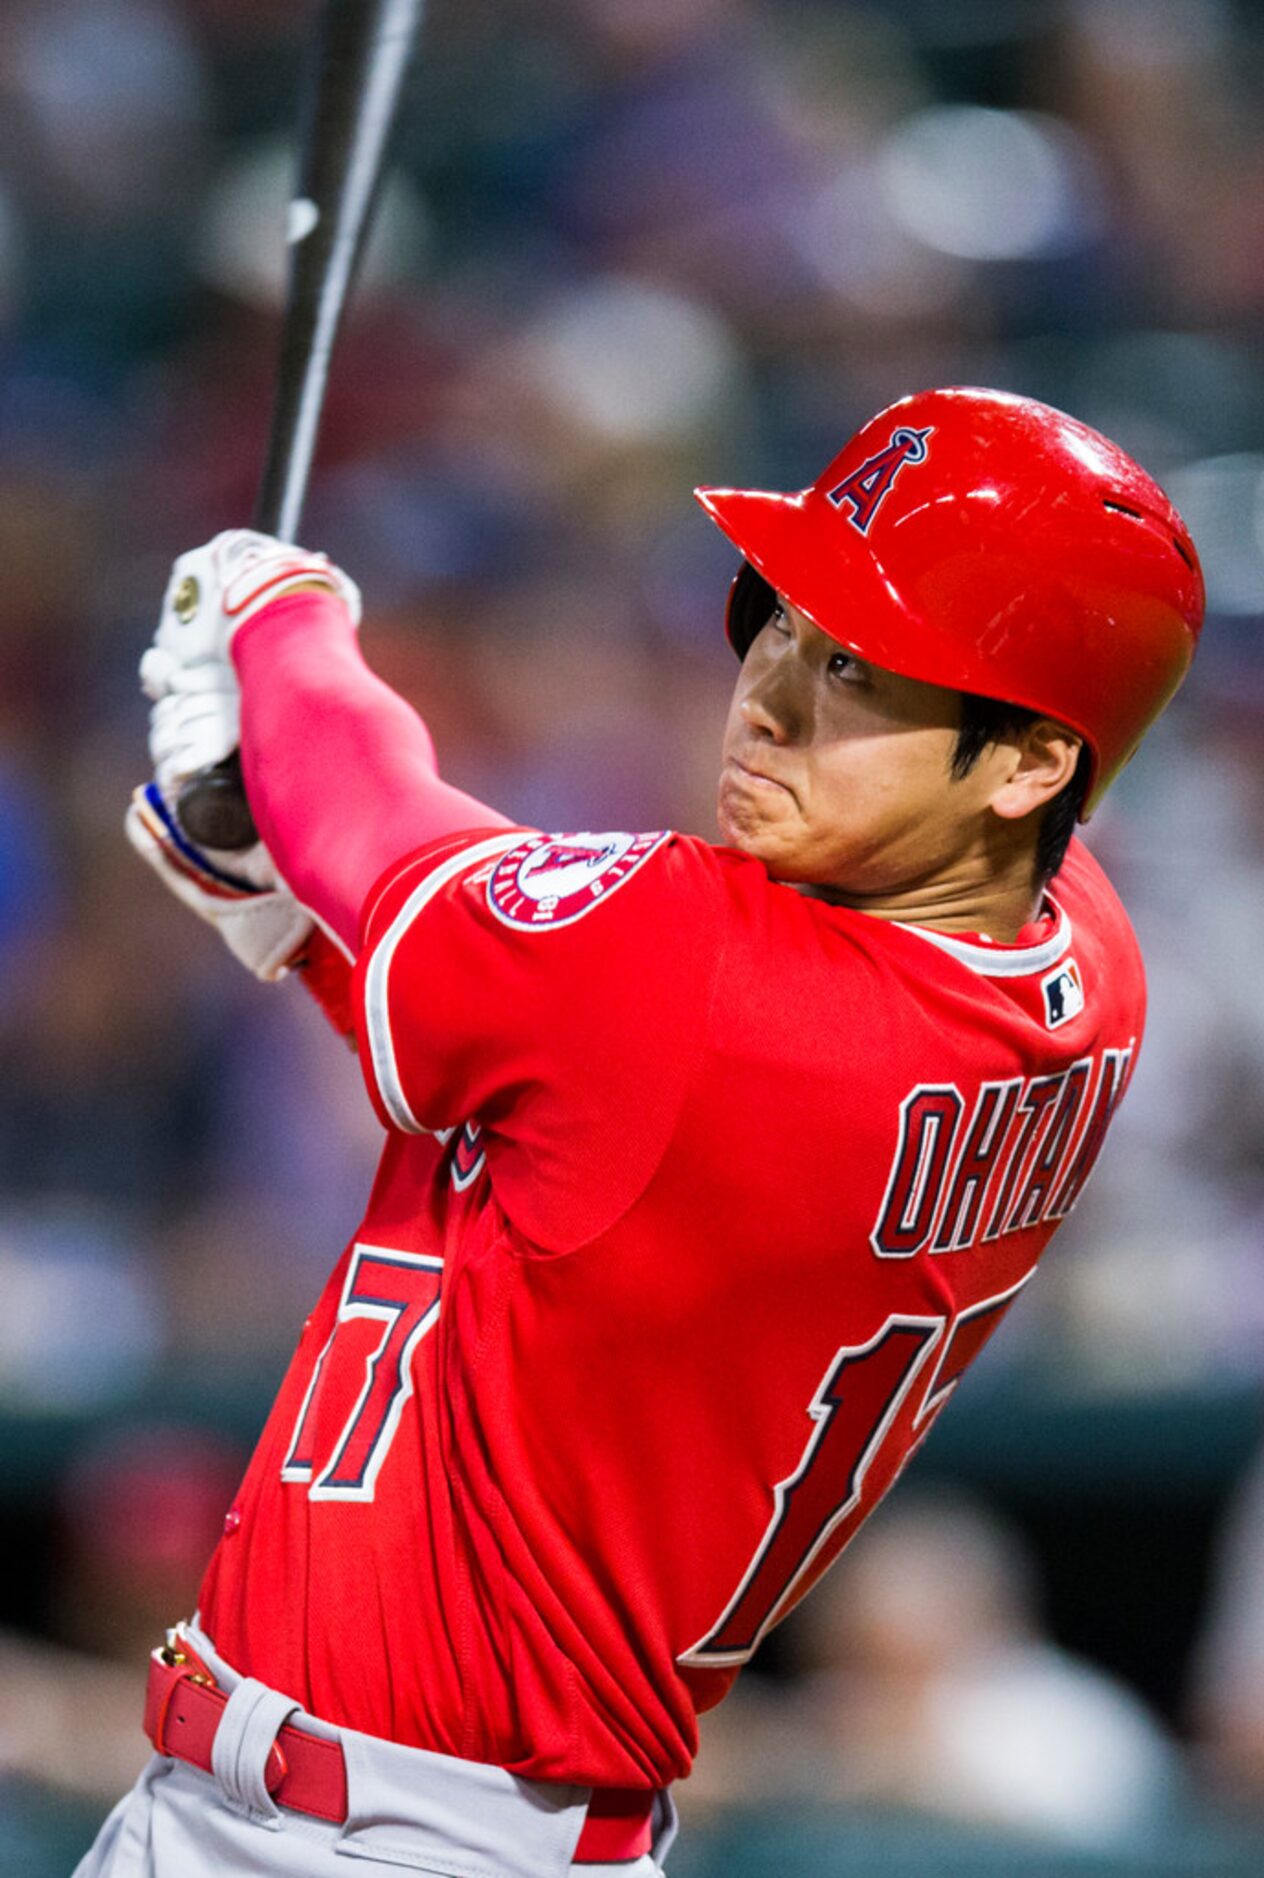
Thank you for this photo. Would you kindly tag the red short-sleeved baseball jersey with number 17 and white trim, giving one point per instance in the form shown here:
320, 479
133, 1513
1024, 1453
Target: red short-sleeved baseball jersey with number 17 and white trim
700, 1195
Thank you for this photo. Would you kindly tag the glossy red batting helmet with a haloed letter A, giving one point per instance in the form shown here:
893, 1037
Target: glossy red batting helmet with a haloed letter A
987, 544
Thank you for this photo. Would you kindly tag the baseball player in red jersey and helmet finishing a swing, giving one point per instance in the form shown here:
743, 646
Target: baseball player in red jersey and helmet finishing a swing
707, 1169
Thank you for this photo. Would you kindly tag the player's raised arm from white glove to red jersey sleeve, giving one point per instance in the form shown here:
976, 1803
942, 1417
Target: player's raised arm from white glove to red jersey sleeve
504, 976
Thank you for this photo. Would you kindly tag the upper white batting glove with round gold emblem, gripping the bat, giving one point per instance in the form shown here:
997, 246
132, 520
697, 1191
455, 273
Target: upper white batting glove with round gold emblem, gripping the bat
213, 591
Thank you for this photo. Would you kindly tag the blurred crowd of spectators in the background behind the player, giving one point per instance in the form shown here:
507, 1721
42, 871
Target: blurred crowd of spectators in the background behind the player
630, 247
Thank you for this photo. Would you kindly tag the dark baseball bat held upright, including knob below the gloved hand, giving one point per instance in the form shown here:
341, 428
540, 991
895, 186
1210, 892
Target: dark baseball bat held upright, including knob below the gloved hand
360, 57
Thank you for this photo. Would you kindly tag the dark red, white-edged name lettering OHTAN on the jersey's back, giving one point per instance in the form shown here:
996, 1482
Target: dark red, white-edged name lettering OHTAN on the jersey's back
1023, 1158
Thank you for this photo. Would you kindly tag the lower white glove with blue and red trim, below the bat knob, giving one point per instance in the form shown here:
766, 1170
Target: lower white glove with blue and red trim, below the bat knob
239, 895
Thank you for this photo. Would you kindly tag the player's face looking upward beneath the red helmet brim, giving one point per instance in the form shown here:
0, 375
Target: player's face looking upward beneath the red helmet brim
839, 773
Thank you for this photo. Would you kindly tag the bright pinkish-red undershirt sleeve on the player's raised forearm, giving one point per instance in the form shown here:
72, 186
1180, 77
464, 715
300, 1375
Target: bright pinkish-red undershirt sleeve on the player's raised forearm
341, 773
